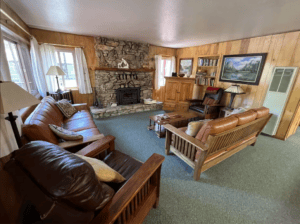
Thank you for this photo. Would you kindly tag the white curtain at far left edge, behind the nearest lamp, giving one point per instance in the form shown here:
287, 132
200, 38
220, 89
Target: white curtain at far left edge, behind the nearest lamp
7, 138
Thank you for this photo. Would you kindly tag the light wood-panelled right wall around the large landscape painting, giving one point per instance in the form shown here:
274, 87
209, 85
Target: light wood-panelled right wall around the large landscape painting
283, 50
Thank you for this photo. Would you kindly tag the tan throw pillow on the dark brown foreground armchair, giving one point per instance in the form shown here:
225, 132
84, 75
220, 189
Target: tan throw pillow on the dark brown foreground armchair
103, 172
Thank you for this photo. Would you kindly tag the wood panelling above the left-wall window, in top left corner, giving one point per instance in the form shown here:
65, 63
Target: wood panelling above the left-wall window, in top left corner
5, 21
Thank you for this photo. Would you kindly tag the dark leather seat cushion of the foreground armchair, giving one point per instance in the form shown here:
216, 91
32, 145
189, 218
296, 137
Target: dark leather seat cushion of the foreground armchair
122, 163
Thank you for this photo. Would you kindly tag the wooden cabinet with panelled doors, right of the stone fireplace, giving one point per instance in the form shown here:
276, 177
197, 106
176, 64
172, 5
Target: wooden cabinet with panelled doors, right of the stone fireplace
177, 93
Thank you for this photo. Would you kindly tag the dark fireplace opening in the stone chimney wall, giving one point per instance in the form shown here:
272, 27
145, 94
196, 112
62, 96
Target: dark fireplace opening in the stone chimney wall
130, 95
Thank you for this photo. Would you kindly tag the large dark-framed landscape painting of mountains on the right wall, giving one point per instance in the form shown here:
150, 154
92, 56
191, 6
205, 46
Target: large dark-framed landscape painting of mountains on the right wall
243, 68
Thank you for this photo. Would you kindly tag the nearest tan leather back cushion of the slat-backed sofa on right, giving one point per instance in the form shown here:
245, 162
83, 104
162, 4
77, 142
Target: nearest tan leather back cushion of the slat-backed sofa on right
216, 126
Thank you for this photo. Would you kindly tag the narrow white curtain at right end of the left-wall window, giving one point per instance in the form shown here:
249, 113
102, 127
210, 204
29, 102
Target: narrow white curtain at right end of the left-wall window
37, 67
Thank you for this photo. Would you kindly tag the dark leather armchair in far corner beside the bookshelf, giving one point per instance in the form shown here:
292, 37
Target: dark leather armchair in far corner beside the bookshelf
208, 111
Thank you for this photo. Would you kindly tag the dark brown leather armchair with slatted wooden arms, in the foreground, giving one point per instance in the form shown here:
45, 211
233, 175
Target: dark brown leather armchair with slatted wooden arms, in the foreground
42, 196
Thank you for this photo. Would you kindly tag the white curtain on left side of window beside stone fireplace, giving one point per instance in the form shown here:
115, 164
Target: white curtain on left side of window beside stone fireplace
49, 59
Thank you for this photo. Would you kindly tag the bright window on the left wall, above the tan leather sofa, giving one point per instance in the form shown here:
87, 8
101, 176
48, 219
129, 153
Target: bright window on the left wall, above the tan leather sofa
20, 65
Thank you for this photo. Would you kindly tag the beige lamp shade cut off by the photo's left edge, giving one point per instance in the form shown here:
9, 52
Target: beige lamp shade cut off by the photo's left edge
13, 97
